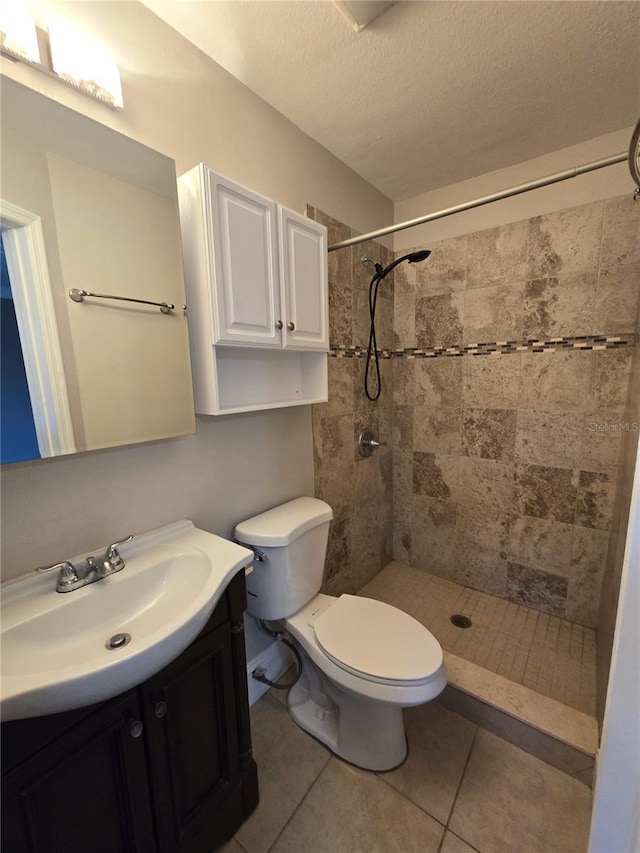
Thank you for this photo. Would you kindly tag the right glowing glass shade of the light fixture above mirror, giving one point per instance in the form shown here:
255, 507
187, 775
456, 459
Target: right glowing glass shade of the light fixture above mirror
84, 64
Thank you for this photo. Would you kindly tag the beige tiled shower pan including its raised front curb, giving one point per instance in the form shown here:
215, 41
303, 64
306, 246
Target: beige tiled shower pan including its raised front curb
524, 675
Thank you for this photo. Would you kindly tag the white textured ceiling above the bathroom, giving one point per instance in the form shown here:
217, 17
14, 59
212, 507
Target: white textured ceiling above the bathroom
430, 93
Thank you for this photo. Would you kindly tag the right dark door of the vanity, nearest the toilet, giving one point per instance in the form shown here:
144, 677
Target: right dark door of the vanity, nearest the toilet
192, 733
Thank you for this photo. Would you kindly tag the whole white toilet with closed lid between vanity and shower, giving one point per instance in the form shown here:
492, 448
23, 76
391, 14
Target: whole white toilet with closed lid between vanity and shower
363, 660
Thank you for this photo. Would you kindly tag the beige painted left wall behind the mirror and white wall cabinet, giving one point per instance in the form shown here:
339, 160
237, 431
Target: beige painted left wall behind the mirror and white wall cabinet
179, 102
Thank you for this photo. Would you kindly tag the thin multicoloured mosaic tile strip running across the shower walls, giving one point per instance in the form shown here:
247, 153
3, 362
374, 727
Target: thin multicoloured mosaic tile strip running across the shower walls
581, 342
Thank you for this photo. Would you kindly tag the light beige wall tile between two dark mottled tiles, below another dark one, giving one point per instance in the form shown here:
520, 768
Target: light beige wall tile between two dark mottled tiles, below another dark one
486, 485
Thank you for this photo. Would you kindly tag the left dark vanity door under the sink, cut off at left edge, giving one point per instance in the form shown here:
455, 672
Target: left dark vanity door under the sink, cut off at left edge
86, 790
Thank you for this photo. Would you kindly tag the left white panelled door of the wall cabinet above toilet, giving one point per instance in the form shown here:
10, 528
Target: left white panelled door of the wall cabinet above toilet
243, 256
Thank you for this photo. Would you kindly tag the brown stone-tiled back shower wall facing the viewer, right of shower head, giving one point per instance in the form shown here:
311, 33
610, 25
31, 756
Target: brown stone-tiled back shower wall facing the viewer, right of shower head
505, 464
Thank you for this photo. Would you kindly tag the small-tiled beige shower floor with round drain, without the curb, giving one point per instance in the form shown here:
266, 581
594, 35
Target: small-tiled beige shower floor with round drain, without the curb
549, 655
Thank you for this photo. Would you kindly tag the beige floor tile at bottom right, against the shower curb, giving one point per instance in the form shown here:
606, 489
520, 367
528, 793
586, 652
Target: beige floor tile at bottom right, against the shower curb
510, 800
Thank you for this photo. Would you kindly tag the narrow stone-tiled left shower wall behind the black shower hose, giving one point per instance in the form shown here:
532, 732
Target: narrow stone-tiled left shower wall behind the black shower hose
359, 490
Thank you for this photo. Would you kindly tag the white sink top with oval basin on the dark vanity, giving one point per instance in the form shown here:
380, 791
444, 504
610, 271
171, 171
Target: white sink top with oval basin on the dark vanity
55, 653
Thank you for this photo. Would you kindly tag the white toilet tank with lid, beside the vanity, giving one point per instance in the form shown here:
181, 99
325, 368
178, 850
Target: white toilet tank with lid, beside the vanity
293, 540
